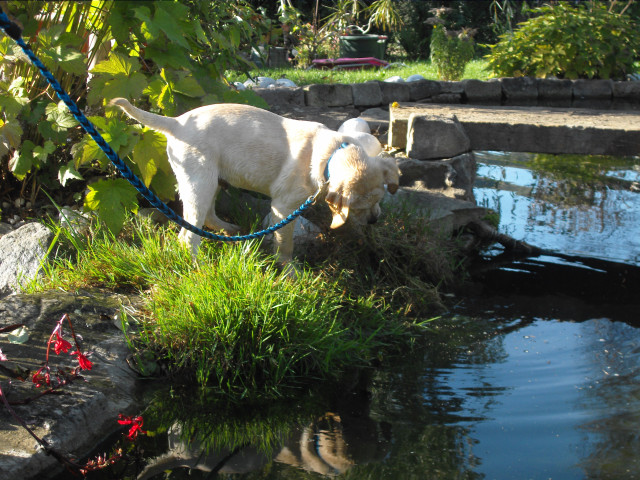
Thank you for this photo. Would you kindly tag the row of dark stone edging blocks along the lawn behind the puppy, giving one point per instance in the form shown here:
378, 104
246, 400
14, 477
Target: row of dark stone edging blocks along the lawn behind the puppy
503, 91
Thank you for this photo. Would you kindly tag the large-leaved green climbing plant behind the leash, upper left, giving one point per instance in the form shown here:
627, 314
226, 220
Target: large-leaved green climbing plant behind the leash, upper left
169, 55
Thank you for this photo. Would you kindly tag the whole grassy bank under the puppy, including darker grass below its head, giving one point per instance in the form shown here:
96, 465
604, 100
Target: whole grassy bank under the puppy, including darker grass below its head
233, 321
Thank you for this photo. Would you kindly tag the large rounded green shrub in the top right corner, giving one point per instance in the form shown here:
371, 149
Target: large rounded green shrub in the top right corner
568, 42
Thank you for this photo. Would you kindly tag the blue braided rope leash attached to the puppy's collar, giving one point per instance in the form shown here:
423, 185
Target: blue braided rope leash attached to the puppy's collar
13, 31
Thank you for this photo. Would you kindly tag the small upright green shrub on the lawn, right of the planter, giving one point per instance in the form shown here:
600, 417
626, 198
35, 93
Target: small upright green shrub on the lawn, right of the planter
450, 52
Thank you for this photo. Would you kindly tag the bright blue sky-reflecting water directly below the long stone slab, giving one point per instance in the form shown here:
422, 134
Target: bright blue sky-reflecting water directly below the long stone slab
574, 205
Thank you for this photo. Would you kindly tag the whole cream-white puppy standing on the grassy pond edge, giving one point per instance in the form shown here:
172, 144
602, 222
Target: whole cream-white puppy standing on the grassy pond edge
287, 160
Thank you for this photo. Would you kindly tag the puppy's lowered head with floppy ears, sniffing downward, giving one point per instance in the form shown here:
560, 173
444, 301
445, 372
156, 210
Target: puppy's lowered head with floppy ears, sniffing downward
356, 185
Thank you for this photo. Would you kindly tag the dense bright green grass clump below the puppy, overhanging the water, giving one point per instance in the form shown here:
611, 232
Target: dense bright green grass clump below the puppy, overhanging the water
245, 327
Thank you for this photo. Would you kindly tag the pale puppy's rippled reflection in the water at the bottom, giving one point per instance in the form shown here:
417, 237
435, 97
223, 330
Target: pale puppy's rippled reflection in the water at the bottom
329, 446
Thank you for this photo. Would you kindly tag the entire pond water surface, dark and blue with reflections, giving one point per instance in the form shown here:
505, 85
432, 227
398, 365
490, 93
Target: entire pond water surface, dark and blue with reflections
534, 374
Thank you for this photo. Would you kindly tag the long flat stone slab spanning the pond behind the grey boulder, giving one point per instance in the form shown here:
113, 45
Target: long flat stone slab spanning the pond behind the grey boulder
532, 129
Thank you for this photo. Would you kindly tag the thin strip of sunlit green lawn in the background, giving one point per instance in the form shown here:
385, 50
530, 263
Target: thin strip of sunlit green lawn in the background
475, 69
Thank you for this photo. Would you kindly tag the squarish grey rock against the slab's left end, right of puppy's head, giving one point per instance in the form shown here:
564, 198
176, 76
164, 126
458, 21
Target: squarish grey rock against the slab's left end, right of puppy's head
435, 136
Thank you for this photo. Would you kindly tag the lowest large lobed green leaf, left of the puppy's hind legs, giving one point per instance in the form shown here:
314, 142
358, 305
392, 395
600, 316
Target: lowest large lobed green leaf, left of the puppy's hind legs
111, 199
